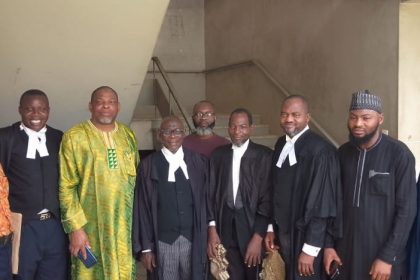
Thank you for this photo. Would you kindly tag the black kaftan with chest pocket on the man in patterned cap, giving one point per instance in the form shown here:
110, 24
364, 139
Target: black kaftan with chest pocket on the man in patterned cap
379, 190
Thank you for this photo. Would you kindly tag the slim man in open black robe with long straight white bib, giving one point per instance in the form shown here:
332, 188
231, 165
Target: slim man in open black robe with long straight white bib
239, 198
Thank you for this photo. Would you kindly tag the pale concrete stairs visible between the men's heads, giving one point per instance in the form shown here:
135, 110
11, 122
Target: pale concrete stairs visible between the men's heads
146, 121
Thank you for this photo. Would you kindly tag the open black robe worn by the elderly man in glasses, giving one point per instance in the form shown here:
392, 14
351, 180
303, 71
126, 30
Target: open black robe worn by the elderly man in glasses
145, 231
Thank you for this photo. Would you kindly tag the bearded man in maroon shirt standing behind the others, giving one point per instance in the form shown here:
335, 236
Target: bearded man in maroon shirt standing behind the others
204, 140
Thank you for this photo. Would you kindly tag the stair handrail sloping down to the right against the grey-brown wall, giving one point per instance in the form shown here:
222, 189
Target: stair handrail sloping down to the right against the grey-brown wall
271, 78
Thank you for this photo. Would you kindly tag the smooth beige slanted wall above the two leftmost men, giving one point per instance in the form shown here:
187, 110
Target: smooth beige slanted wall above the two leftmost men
68, 48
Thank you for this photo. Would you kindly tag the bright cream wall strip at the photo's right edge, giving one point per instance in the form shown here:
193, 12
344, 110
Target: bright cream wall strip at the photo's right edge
409, 82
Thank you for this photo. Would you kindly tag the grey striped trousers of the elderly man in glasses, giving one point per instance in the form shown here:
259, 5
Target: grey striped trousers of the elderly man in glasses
174, 260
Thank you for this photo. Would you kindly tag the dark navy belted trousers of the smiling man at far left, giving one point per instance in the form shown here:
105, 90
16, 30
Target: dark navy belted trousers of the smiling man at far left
44, 253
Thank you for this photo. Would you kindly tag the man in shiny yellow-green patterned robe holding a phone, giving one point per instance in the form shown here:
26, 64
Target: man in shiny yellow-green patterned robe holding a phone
98, 160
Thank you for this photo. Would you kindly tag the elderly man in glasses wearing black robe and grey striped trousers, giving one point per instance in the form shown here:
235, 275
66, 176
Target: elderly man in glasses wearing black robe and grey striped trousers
169, 223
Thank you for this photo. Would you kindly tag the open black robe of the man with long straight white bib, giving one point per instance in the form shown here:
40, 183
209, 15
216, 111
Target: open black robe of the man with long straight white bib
254, 188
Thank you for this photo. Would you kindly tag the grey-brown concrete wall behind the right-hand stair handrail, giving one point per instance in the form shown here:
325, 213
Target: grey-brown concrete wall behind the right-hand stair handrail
322, 49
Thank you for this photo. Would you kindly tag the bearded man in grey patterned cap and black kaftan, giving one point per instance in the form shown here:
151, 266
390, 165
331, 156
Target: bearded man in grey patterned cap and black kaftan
379, 197
